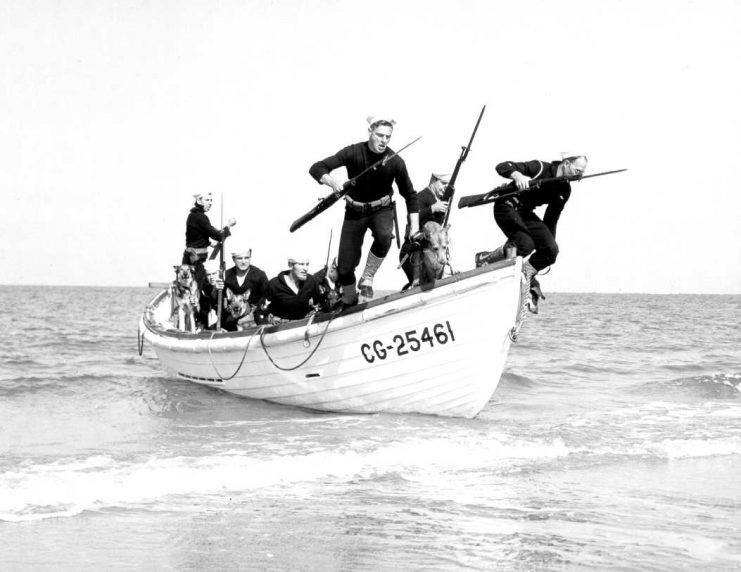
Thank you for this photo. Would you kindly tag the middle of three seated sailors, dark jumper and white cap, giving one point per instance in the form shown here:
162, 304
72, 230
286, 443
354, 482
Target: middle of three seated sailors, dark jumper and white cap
291, 295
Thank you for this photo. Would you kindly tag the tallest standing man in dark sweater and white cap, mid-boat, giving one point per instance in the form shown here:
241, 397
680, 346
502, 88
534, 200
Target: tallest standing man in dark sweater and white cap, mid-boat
368, 204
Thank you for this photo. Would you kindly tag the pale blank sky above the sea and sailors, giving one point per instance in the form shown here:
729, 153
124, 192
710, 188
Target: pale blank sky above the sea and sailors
113, 113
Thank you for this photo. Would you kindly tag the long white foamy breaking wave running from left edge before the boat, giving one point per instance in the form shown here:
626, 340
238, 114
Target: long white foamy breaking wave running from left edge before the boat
69, 487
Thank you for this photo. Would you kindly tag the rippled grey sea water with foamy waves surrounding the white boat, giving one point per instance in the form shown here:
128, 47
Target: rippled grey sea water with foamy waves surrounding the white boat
613, 442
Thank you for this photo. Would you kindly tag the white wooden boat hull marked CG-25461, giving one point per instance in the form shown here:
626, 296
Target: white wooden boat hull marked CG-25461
439, 351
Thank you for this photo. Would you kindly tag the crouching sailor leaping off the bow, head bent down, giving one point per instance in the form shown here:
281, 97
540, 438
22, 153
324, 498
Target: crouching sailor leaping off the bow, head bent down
516, 216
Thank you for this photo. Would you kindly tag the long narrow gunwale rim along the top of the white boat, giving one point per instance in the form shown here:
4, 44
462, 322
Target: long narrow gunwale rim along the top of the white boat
319, 317
